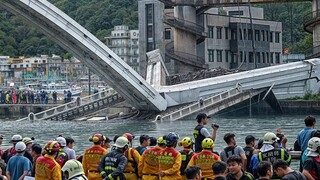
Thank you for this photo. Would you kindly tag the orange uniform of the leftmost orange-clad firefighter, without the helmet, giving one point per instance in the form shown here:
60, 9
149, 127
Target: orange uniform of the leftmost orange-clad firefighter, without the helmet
47, 168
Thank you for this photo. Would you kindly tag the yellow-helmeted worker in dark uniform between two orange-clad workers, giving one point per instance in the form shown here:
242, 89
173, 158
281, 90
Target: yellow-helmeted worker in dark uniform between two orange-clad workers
186, 154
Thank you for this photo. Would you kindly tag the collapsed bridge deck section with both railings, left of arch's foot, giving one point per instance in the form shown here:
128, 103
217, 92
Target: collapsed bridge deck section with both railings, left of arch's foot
76, 108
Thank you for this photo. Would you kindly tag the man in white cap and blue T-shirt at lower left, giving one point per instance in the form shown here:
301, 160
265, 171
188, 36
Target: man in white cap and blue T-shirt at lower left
18, 166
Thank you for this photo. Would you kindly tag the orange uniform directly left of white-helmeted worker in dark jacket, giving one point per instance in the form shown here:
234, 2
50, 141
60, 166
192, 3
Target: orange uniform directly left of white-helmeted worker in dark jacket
91, 160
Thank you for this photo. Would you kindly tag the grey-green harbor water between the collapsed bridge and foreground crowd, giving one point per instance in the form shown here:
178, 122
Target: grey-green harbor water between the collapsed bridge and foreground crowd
81, 130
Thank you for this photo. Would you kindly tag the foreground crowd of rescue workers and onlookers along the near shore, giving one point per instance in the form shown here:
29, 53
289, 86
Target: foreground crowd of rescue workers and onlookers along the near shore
155, 159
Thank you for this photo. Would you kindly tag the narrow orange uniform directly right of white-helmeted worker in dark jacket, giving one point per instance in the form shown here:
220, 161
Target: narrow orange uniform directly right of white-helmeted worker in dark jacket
133, 157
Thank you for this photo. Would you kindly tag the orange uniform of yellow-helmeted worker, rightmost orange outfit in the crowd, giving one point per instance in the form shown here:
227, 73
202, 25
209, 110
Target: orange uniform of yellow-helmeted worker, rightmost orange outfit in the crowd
205, 160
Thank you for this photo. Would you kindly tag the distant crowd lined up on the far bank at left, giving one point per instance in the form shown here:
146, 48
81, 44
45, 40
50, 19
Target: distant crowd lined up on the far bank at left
16, 96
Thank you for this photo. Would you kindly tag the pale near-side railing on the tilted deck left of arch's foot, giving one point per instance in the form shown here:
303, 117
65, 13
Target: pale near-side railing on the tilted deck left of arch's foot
70, 105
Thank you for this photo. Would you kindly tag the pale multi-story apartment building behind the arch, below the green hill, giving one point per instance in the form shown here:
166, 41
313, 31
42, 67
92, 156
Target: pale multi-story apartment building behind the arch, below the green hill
125, 43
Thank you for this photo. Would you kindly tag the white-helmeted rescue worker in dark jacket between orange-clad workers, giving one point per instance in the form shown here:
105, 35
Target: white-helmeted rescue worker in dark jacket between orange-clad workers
112, 165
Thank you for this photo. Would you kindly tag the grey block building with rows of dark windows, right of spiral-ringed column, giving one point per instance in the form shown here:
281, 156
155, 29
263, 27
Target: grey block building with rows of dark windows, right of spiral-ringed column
234, 42
